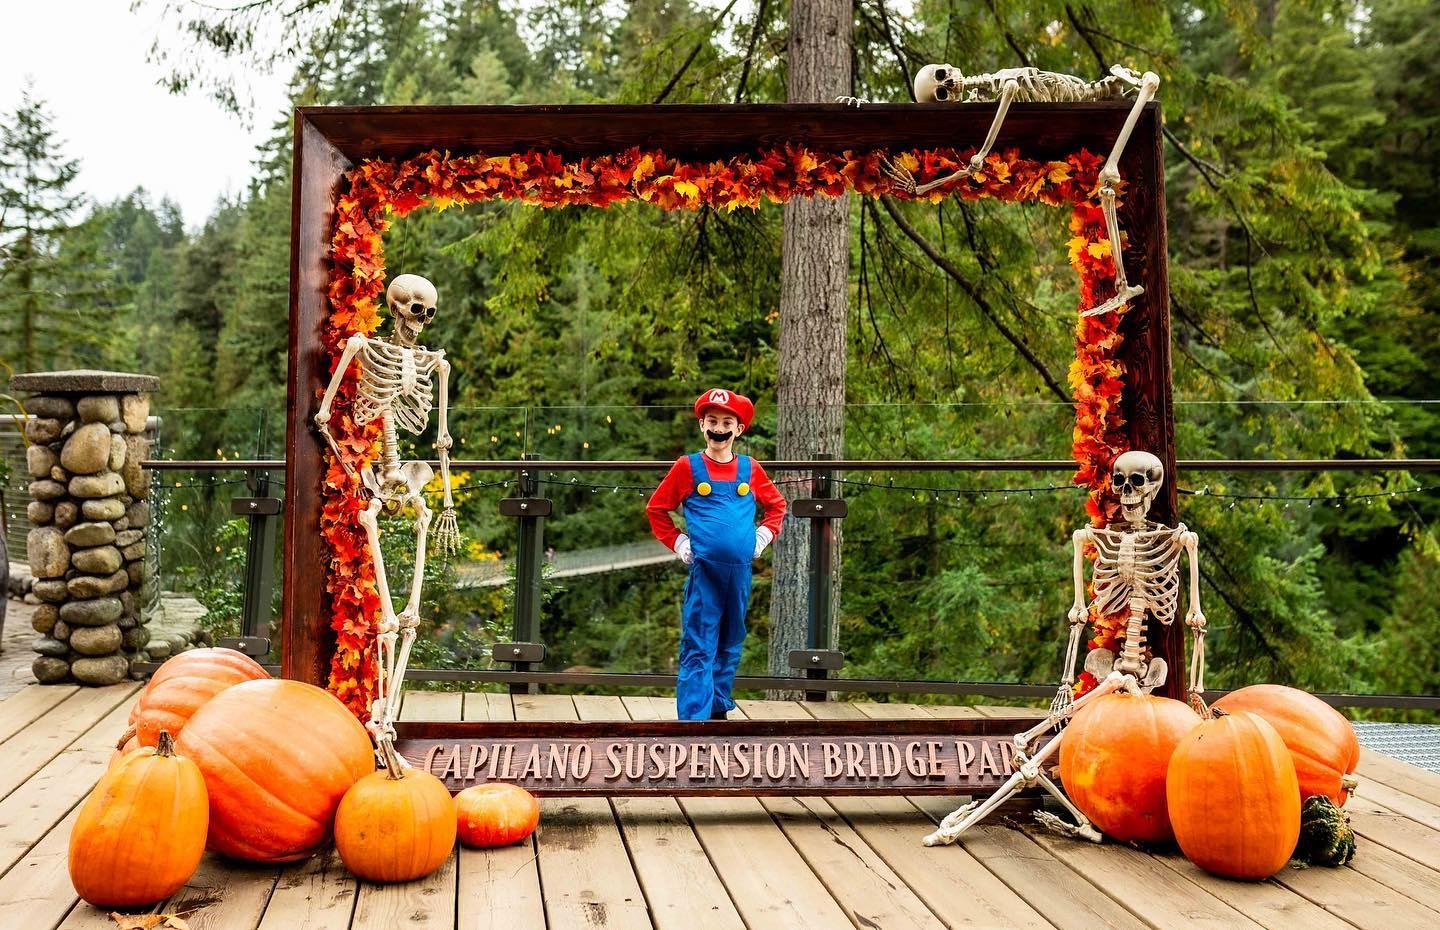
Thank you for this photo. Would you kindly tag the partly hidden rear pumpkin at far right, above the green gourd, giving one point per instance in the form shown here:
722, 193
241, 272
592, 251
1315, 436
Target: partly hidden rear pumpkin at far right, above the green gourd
1323, 744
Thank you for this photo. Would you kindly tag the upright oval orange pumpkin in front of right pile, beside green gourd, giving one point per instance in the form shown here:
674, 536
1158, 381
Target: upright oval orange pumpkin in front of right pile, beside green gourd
1233, 798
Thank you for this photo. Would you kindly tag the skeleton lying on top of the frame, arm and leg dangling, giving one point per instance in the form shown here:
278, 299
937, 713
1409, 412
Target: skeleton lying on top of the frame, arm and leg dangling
945, 83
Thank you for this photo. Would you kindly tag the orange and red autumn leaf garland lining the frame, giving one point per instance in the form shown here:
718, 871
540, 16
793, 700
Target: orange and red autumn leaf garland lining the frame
382, 191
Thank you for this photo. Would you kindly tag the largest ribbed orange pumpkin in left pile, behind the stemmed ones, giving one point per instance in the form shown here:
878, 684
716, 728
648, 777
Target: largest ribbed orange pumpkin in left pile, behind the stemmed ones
277, 758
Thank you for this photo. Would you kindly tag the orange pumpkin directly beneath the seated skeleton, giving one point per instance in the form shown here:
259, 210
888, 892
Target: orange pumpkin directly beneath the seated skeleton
1114, 761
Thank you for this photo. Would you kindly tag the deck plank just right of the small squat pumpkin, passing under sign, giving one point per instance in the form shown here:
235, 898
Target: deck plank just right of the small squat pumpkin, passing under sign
584, 866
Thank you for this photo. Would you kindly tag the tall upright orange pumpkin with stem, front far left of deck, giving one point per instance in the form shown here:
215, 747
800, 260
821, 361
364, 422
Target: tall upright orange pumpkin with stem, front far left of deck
140, 834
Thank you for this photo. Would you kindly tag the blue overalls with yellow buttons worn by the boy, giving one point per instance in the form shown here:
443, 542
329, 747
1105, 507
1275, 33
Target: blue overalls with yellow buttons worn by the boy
721, 523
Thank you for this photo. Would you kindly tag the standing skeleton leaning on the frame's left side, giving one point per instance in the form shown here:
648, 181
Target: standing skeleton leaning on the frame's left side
395, 389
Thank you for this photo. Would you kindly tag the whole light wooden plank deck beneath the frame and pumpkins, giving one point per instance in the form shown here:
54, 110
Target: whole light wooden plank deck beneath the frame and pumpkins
719, 863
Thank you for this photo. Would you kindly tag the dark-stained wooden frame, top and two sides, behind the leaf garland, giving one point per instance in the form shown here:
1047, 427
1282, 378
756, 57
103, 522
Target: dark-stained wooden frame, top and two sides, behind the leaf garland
330, 140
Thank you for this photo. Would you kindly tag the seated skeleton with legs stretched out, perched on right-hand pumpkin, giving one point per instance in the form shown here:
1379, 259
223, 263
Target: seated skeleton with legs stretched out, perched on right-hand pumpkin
1137, 571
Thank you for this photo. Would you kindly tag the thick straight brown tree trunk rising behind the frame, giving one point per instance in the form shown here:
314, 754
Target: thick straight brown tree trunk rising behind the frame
814, 302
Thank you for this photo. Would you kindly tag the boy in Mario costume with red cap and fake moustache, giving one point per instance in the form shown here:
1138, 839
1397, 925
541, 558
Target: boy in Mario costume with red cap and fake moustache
718, 493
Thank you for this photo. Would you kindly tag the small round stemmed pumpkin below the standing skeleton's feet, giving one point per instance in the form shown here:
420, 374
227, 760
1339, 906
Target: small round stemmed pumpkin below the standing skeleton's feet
397, 824
